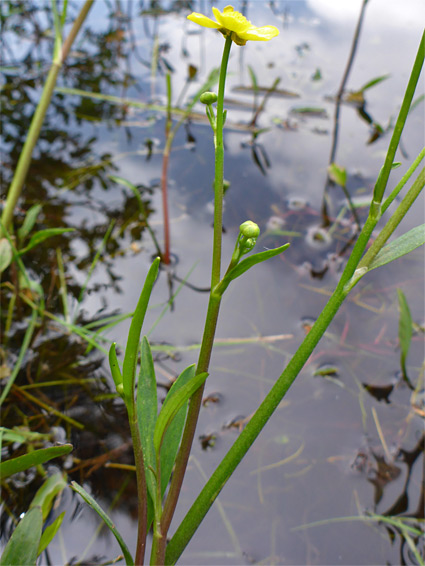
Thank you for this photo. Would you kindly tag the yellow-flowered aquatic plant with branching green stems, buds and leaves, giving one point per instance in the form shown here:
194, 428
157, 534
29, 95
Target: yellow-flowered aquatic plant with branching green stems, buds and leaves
162, 442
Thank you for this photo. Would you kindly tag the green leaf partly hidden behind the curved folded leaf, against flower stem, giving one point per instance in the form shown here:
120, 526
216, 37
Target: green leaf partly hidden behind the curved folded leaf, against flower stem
173, 434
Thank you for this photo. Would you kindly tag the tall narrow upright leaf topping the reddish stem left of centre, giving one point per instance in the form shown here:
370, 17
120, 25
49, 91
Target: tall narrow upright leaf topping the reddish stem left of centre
131, 351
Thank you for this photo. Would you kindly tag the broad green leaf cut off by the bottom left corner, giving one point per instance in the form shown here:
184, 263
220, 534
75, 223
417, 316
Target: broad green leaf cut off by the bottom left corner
22, 547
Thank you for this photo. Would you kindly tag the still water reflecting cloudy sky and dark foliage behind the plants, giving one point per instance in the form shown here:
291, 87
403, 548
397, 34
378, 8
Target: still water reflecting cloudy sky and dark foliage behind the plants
346, 442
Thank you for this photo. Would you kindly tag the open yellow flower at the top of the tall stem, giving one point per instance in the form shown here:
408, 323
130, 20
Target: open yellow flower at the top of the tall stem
233, 24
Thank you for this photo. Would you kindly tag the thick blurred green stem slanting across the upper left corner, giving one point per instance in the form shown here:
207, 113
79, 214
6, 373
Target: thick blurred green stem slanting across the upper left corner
37, 121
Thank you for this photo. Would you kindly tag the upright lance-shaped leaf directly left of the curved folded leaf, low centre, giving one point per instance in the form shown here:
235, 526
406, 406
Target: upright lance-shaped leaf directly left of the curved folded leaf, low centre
147, 410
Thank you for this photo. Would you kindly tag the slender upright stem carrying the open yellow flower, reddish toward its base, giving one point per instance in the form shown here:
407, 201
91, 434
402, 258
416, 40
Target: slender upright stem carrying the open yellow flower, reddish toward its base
212, 312
